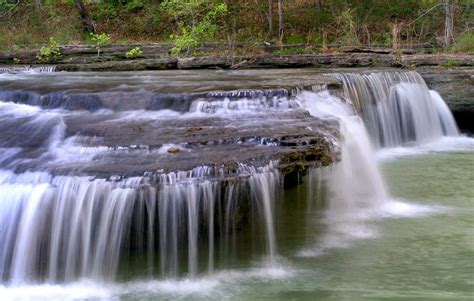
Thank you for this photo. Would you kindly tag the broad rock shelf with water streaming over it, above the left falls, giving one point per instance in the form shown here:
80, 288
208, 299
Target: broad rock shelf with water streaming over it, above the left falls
108, 126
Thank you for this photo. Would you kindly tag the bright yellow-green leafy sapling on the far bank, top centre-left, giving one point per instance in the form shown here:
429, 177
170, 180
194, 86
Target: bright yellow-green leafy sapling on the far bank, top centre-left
197, 21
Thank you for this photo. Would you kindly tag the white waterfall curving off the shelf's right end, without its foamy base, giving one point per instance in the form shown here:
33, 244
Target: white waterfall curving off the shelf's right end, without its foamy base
357, 179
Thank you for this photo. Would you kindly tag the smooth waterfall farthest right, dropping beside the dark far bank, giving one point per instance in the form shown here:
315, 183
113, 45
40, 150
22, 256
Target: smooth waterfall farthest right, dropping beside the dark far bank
398, 108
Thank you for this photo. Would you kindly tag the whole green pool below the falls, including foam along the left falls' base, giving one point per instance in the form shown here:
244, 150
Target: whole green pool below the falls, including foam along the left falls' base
417, 247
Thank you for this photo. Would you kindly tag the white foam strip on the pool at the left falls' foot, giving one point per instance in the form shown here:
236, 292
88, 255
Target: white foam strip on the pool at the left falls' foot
218, 286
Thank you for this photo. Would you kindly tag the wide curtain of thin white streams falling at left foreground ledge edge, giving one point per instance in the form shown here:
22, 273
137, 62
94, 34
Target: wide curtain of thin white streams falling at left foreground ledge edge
63, 228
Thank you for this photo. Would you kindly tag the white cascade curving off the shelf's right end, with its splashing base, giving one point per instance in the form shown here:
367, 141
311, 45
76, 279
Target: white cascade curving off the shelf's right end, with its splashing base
355, 186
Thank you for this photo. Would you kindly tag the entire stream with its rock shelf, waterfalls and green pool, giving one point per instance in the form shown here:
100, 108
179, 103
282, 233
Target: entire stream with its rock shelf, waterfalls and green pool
95, 206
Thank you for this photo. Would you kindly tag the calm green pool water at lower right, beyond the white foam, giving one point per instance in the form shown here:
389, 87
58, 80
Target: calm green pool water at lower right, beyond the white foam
425, 251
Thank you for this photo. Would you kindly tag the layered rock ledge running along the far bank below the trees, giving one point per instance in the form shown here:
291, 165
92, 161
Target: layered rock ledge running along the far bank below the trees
157, 57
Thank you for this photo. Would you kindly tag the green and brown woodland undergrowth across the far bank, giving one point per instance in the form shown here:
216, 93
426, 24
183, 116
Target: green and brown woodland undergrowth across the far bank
191, 22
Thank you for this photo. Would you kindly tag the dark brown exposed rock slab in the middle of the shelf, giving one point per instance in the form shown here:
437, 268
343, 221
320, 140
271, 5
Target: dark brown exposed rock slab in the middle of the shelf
135, 147
